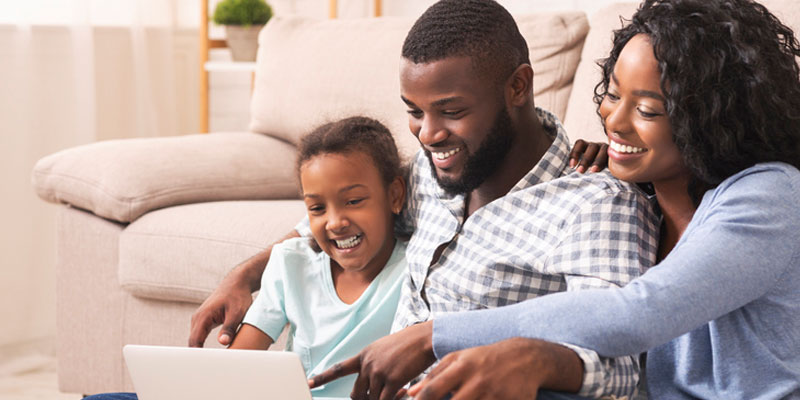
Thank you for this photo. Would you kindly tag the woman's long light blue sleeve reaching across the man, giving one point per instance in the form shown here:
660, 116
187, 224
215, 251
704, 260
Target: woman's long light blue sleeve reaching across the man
734, 242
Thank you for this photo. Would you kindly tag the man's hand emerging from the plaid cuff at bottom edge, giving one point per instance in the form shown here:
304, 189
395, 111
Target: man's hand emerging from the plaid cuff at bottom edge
512, 369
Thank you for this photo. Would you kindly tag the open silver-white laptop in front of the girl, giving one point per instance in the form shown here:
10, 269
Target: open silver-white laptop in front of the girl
169, 373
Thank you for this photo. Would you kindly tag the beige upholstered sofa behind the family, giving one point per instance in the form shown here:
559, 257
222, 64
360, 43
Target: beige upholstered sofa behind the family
147, 228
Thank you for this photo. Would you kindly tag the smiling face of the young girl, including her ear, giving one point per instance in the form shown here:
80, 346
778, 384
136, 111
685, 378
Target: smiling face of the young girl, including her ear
350, 209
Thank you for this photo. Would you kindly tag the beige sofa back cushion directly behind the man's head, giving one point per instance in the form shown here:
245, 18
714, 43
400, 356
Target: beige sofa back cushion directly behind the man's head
312, 71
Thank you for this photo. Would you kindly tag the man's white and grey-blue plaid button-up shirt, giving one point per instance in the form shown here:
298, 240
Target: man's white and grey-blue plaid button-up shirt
554, 231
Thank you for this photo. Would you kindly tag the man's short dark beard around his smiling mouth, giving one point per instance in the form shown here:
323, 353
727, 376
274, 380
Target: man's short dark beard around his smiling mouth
484, 162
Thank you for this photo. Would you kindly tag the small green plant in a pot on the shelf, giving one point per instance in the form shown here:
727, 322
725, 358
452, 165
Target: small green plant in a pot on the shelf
243, 19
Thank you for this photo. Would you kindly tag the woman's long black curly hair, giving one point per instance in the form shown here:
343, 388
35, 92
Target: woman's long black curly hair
730, 79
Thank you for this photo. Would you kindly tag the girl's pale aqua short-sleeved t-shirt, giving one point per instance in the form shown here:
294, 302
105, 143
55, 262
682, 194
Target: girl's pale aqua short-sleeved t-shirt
297, 288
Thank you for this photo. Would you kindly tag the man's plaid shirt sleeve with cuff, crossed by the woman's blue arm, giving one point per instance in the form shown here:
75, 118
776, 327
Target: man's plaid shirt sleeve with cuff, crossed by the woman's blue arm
607, 245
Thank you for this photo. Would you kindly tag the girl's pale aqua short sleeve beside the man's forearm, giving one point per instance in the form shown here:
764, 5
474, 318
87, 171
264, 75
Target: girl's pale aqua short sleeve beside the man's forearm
268, 313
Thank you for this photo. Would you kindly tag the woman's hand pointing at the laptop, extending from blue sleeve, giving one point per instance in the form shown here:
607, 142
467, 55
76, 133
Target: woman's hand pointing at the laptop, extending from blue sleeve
386, 365
